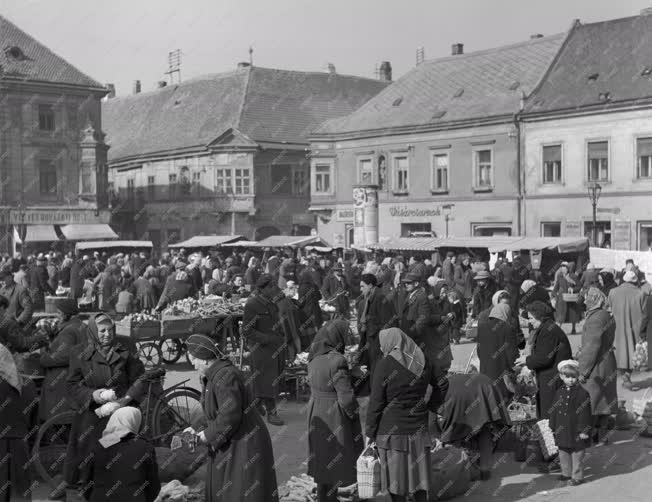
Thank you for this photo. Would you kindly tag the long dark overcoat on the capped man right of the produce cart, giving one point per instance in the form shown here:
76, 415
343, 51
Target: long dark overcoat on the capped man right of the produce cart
264, 335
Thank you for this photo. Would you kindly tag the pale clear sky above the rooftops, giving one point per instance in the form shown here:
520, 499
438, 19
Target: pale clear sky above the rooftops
120, 41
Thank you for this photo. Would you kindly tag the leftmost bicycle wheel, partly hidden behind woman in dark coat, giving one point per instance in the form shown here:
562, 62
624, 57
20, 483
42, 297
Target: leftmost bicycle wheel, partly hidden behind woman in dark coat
50, 444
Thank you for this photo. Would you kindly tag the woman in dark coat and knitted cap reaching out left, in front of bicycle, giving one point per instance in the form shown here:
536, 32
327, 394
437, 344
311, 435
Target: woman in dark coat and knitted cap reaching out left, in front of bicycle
241, 459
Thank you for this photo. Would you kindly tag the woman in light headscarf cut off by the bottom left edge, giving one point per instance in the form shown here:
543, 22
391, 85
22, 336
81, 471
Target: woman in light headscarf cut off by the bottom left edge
18, 417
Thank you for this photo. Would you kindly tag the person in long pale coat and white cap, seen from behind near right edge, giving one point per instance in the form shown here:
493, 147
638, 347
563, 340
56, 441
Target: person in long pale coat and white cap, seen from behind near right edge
628, 305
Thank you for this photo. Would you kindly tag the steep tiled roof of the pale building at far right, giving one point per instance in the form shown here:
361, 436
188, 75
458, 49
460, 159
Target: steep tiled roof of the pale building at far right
605, 57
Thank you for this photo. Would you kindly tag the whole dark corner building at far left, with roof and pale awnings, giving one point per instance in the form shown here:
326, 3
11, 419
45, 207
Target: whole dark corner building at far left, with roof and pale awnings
52, 153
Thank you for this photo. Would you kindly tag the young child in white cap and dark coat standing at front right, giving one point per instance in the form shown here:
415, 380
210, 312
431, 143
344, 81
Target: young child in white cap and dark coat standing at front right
570, 422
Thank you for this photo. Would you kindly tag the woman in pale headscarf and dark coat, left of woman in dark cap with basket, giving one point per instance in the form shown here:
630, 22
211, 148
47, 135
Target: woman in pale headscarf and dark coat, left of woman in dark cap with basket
497, 347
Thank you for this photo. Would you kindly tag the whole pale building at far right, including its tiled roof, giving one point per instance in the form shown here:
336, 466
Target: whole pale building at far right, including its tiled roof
590, 122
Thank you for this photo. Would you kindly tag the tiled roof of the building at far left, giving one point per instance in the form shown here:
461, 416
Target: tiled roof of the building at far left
35, 62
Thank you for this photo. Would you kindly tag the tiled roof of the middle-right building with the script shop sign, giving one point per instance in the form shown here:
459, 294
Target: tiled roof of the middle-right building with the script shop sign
455, 88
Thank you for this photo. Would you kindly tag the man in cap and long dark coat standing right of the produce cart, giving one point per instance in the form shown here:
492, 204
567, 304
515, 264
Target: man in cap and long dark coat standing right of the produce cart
262, 331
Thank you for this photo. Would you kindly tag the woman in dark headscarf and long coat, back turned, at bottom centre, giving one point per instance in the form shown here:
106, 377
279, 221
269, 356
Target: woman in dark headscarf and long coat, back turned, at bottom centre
334, 432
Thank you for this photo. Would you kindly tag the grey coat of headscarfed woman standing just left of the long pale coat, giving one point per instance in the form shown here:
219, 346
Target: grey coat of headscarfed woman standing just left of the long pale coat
598, 362
